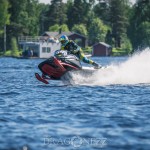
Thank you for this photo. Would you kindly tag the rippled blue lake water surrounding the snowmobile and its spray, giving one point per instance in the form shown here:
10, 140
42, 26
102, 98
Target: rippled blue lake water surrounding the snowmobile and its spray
34, 116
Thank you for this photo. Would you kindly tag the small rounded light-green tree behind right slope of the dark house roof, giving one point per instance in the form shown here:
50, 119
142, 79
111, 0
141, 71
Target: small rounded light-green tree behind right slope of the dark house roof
81, 29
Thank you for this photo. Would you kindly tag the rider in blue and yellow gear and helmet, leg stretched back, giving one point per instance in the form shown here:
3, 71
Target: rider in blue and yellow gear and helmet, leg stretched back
73, 48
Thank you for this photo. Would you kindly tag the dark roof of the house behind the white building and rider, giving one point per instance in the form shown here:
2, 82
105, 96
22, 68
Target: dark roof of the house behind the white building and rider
57, 35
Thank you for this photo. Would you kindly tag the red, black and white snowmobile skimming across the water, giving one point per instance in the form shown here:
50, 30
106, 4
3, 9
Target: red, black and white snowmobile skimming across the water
57, 66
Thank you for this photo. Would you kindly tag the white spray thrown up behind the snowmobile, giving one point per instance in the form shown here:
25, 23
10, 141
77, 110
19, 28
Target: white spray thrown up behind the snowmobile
135, 70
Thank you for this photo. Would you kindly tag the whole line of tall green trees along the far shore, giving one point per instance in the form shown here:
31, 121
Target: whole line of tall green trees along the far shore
115, 22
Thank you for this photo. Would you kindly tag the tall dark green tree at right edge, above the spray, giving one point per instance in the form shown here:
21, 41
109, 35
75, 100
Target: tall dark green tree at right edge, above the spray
139, 24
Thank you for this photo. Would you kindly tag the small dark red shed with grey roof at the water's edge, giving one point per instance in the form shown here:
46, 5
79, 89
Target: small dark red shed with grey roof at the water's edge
101, 49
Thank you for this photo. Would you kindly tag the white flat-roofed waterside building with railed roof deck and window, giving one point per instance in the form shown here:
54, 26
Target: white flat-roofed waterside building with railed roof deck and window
42, 47
